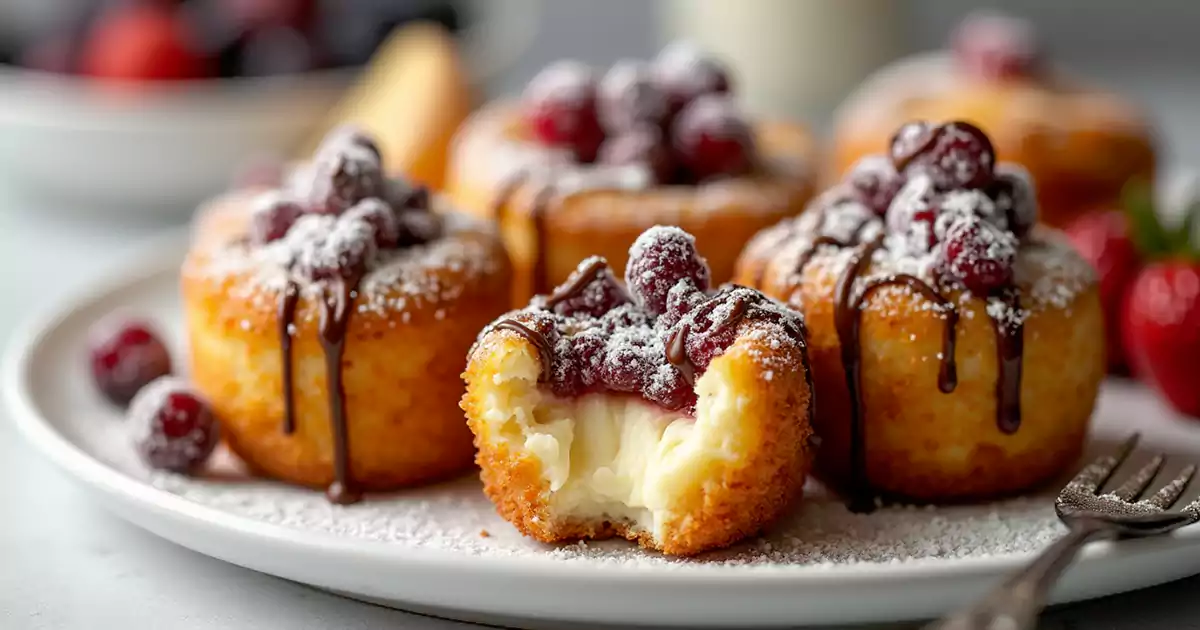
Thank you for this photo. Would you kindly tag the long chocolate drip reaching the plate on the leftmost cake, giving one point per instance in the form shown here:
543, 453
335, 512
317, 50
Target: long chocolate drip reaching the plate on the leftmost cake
335, 317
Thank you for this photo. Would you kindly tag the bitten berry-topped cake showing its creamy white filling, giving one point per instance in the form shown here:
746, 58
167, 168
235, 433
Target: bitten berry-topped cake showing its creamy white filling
661, 411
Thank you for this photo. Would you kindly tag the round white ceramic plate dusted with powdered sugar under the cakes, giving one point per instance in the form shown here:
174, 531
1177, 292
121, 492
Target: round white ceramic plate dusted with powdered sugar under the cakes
428, 549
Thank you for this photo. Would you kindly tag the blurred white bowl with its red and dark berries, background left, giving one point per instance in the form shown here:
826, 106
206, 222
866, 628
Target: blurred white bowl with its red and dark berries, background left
145, 109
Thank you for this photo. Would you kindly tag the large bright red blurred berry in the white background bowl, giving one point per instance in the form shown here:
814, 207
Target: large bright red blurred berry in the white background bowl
142, 43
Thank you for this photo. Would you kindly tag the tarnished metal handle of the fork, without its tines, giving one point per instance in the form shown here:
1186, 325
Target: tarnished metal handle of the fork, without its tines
1017, 603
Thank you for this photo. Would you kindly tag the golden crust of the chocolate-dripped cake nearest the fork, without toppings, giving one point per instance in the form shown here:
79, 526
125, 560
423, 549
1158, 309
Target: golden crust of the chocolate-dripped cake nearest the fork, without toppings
927, 446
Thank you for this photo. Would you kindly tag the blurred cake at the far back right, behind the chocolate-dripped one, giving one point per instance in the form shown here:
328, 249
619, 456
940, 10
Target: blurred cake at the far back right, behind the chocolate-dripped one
1081, 145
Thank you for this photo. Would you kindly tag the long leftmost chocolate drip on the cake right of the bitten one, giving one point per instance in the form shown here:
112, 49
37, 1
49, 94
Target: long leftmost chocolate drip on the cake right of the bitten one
847, 321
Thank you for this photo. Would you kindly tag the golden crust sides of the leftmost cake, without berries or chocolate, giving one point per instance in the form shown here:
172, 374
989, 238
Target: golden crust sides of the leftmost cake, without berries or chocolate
400, 365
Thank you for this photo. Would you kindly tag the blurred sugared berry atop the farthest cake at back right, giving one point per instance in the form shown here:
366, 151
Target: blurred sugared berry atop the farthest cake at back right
992, 46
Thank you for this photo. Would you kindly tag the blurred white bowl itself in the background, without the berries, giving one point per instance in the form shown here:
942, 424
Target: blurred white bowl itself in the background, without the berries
148, 149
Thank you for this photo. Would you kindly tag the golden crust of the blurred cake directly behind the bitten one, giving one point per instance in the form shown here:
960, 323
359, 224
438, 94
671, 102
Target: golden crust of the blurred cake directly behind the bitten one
603, 223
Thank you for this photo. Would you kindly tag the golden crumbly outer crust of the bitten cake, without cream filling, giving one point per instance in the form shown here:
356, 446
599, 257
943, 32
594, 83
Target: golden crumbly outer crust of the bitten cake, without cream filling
729, 501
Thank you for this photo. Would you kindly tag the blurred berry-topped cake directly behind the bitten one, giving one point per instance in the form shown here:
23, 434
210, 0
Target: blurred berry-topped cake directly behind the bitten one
584, 164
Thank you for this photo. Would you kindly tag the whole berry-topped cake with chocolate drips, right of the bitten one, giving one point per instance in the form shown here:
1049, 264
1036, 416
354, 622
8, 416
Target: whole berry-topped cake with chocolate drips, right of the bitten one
958, 349
